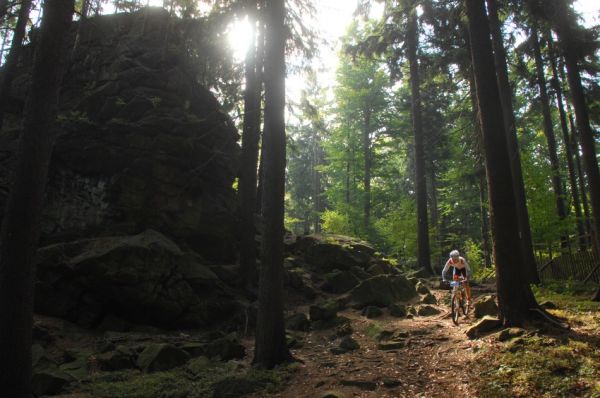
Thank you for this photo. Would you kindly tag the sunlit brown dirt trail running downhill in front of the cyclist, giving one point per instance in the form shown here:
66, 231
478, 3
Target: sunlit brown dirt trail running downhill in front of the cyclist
433, 363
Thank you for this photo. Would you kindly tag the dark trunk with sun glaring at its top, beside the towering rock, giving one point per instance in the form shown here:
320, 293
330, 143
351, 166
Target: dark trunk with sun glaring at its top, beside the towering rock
249, 161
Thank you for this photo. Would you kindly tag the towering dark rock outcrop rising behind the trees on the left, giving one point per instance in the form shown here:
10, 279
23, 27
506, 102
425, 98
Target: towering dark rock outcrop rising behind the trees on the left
141, 143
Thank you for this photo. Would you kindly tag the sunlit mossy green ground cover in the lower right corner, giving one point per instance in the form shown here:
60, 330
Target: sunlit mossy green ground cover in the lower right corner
549, 364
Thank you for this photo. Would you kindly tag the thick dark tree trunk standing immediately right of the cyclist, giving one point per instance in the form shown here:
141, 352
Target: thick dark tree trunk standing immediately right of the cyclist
514, 294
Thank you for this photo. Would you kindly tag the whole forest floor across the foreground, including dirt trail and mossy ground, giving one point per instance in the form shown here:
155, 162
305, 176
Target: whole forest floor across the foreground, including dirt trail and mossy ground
426, 356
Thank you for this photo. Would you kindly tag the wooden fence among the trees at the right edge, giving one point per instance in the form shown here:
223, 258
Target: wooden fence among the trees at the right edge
579, 266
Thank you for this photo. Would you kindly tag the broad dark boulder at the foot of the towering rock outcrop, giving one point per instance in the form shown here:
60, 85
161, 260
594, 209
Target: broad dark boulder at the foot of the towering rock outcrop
144, 278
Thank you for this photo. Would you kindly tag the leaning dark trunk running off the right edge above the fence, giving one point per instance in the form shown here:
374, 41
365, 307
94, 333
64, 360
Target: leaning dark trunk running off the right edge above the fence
586, 136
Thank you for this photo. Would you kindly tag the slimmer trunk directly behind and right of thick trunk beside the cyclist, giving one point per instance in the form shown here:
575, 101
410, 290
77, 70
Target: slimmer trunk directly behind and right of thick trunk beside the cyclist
513, 144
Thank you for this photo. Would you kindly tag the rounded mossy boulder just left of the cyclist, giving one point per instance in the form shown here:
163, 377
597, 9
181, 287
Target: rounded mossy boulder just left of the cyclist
383, 290
